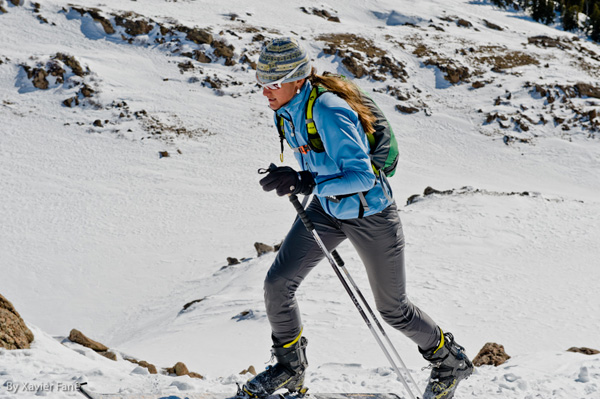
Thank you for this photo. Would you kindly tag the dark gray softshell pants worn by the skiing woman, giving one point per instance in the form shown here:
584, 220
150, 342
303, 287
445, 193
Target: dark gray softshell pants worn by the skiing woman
379, 241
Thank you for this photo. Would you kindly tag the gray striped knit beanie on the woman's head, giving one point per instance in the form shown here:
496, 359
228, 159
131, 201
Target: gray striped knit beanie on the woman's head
279, 57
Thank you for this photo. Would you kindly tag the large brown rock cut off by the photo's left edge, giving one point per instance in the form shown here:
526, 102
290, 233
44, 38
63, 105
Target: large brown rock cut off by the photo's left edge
14, 334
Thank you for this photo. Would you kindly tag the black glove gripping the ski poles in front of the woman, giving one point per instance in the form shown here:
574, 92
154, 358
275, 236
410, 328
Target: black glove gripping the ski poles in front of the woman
286, 180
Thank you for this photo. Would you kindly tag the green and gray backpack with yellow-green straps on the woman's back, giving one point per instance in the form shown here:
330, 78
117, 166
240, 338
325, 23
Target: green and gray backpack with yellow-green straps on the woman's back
384, 147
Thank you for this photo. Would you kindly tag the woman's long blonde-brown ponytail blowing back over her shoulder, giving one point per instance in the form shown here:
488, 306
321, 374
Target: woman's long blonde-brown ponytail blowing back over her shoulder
348, 92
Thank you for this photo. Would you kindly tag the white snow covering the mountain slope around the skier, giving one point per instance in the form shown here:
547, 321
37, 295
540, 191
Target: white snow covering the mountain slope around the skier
100, 234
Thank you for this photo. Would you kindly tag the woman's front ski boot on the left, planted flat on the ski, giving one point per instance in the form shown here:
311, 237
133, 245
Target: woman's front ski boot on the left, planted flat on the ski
287, 373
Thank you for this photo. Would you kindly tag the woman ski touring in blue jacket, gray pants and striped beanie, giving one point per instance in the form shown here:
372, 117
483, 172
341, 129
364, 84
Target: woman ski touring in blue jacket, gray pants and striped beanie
350, 202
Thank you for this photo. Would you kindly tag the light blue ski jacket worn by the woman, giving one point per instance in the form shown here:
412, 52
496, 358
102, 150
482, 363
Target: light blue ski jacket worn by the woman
345, 166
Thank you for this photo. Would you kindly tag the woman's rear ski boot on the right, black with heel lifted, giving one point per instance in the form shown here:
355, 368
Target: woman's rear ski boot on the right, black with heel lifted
449, 365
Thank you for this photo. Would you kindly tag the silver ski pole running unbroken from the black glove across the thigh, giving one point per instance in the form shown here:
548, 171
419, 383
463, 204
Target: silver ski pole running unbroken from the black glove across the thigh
311, 228
